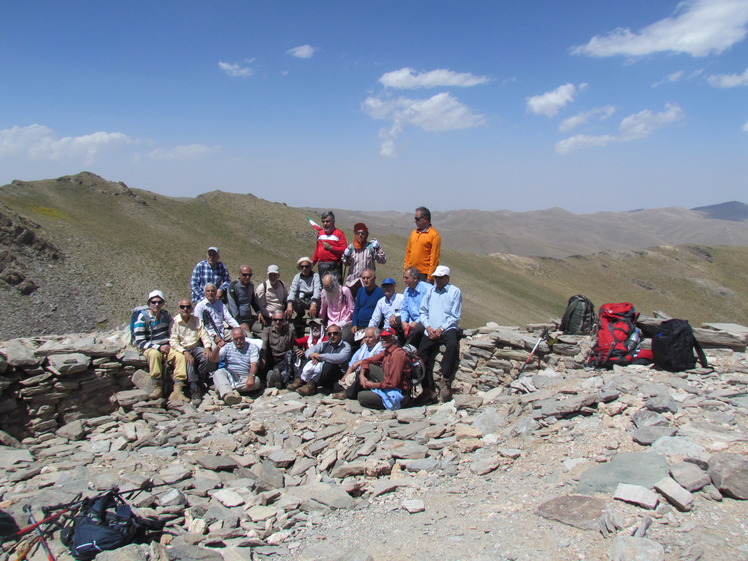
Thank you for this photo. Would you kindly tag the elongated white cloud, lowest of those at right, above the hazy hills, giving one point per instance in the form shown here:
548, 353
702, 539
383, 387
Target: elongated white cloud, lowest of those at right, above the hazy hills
634, 127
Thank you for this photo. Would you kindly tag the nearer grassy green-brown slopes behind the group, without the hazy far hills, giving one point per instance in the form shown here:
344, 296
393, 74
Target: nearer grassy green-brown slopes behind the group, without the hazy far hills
136, 240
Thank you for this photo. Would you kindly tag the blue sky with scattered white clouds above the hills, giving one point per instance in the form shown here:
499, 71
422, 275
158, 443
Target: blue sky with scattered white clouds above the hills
520, 105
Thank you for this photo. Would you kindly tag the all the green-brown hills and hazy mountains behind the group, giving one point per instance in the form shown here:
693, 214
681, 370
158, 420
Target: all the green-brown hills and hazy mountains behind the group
78, 252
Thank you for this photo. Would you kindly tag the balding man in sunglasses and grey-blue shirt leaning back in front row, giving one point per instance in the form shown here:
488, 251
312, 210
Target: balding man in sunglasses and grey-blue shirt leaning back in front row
325, 365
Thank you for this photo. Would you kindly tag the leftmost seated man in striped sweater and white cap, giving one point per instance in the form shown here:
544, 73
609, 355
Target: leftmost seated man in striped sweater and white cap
151, 334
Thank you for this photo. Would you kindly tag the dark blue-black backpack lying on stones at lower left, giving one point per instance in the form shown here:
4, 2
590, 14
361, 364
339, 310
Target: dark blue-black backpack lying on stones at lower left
106, 522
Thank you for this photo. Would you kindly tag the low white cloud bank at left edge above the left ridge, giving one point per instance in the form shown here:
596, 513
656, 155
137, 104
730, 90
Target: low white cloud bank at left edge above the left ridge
37, 142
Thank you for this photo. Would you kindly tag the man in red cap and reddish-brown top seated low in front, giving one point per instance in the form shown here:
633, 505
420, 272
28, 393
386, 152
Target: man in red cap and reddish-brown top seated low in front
385, 377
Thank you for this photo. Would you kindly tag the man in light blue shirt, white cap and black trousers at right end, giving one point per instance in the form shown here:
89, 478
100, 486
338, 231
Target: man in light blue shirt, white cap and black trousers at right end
441, 309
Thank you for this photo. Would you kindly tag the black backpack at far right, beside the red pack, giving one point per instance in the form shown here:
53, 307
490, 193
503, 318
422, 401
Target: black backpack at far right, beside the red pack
673, 345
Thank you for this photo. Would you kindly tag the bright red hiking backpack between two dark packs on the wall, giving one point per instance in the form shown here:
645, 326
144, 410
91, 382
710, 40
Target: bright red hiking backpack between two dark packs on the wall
617, 336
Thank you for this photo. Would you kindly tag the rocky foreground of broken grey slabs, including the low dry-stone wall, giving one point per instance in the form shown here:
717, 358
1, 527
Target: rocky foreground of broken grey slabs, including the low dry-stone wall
561, 462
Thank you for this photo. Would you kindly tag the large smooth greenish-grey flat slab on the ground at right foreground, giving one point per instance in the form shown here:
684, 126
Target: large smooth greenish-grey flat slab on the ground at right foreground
635, 468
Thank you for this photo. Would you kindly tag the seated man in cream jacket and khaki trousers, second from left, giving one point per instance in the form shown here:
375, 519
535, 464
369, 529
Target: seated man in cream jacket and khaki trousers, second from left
190, 348
